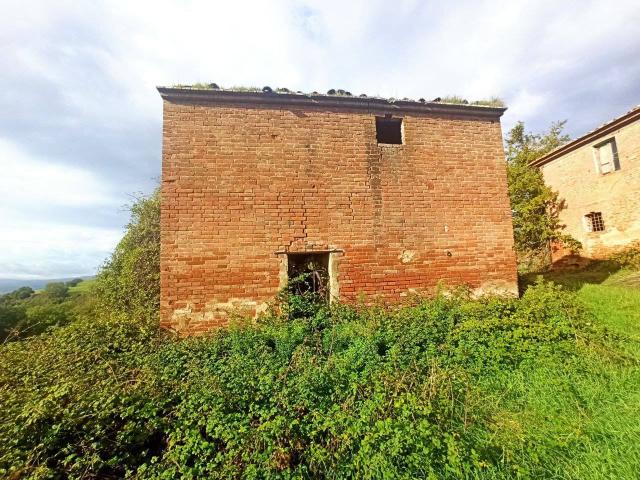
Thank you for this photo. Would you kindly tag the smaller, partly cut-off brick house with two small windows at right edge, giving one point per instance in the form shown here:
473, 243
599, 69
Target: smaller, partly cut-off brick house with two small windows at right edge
598, 176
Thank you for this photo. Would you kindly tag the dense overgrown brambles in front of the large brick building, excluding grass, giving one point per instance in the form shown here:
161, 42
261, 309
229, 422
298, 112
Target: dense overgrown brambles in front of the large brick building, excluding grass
338, 392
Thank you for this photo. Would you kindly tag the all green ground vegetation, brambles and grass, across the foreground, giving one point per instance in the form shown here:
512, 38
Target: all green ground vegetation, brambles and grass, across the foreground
546, 386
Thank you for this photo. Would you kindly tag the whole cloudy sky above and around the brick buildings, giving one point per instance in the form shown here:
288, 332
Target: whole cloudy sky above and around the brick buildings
80, 119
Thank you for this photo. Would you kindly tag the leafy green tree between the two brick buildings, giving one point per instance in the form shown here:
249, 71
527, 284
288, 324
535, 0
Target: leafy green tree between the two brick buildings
535, 206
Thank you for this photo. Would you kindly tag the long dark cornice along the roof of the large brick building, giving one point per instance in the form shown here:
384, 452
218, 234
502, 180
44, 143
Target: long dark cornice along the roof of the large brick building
333, 101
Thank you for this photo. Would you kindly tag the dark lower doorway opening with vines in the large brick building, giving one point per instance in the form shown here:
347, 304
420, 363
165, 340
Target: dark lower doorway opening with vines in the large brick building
309, 273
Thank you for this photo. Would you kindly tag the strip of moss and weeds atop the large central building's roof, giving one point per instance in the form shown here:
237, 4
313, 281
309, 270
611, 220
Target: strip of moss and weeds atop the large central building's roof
494, 102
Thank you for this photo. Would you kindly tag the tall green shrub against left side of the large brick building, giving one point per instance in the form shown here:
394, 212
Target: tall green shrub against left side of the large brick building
130, 280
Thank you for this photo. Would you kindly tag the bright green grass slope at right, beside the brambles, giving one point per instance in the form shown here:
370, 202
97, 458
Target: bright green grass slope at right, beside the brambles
597, 413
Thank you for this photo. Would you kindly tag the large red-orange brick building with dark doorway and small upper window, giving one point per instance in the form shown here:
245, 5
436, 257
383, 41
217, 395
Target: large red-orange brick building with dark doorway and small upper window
385, 197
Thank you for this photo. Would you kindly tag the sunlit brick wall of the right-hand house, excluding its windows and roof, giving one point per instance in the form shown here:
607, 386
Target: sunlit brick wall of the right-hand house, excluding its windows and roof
584, 190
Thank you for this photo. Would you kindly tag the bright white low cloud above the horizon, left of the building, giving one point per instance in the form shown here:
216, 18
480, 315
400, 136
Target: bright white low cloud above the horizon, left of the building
33, 242
